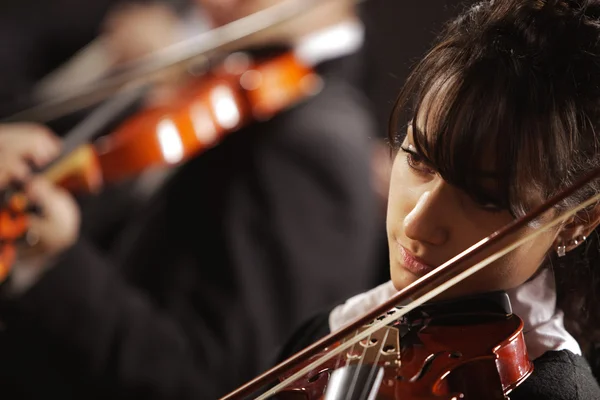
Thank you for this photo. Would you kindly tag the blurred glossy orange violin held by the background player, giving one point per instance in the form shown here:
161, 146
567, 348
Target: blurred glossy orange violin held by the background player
236, 93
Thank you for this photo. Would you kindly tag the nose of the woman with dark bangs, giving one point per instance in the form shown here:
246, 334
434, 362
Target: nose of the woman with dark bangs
426, 222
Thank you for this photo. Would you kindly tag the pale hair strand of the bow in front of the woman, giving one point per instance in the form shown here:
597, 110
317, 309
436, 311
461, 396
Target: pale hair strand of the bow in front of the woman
428, 296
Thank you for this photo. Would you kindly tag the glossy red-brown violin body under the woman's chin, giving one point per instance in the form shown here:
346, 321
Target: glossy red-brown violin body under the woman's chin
449, 357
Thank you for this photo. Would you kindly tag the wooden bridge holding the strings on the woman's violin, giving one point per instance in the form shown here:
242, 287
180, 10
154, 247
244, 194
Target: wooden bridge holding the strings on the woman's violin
381, 347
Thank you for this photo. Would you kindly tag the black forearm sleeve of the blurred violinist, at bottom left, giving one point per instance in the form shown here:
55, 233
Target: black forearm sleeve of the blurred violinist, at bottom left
95, 332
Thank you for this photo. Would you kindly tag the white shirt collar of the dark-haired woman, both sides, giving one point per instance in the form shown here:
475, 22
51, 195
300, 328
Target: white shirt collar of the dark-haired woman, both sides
534, 302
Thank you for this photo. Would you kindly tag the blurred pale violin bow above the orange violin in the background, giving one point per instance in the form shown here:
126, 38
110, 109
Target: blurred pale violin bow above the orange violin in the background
142, 71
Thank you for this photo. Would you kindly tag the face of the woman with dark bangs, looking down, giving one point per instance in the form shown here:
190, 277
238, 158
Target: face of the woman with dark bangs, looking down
430, 221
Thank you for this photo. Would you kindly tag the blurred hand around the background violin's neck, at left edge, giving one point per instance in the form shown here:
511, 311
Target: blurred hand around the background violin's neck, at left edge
21, 146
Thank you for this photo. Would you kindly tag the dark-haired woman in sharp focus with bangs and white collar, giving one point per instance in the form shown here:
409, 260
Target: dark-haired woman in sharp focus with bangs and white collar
501, 114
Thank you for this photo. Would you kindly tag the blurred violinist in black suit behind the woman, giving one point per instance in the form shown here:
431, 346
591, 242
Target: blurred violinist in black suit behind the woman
238, 247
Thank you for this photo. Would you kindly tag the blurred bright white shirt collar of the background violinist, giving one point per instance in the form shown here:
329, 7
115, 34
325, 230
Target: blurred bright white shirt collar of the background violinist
332, 42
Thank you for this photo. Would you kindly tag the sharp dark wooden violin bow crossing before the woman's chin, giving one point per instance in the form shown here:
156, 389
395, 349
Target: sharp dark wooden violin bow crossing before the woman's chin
440, 279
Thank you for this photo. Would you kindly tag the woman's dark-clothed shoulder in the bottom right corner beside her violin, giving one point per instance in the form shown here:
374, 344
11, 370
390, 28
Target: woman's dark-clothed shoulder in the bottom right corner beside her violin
559, 375
